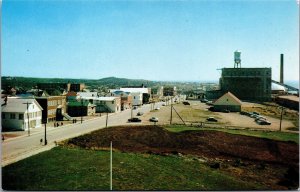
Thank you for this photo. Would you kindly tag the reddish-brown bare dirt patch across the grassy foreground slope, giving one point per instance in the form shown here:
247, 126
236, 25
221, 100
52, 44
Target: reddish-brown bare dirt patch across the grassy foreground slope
273, 163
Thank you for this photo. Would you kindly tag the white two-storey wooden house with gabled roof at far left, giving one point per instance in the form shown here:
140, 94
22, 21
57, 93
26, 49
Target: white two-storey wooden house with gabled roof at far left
18, 111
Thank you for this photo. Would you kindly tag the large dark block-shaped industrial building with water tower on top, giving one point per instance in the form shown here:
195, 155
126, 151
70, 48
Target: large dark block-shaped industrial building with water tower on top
253, 84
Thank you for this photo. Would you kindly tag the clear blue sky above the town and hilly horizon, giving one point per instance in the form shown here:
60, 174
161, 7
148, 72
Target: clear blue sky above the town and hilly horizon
153, 40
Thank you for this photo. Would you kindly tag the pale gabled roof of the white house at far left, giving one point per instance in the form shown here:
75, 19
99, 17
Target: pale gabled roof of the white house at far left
16, 104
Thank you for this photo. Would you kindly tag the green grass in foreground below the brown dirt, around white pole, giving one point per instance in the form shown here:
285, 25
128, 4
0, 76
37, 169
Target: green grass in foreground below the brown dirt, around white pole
78, 169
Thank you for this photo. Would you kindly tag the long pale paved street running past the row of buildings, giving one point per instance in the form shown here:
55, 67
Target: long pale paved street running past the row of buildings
22, 147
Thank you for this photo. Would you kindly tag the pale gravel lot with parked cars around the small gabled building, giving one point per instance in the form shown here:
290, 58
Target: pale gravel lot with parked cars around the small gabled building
198, 112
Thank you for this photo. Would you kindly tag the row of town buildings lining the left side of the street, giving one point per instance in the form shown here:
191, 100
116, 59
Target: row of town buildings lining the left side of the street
36, 107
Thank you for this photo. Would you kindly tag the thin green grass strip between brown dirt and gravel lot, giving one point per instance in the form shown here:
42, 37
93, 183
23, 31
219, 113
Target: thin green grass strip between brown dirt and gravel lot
276, 135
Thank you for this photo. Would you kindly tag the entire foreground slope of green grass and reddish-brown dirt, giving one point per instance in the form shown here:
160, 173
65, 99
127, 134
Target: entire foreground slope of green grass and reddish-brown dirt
152, 158
